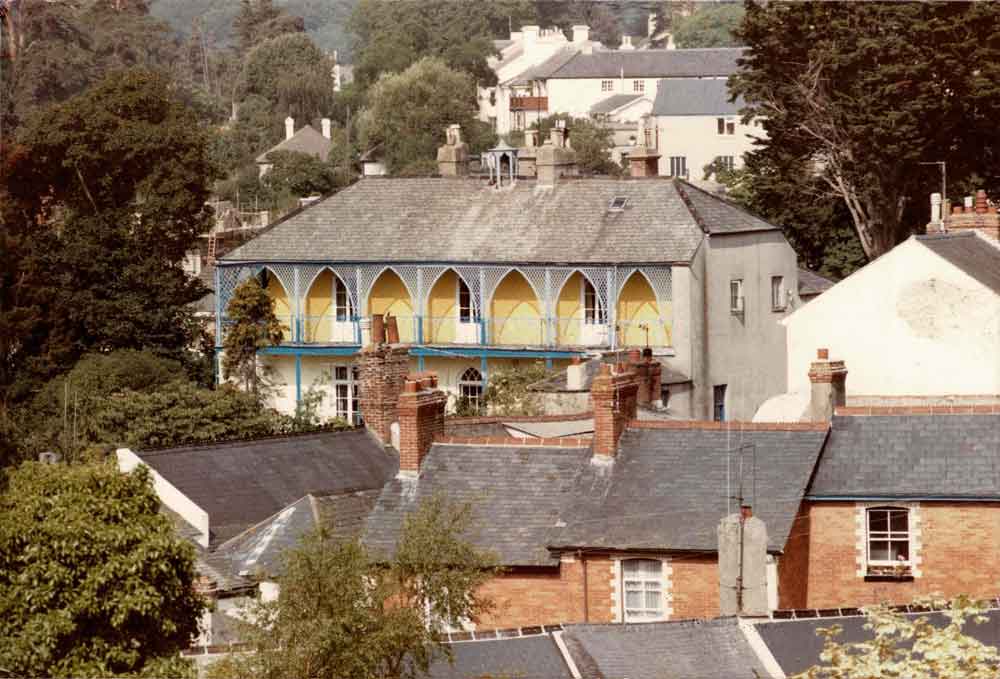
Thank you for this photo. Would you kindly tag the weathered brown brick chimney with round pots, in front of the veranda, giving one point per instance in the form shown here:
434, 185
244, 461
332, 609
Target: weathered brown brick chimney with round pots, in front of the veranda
383, 370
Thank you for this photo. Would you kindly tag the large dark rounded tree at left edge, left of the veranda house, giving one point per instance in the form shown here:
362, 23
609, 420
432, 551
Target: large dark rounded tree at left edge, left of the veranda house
103, 198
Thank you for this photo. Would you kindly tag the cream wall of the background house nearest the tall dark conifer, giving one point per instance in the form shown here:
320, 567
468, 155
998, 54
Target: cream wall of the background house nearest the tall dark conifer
697, 139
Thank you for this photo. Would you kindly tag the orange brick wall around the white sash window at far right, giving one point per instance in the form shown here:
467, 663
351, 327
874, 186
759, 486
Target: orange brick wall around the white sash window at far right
959, 545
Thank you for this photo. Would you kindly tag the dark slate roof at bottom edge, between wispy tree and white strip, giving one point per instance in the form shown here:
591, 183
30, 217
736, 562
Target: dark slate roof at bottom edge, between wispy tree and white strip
534, 657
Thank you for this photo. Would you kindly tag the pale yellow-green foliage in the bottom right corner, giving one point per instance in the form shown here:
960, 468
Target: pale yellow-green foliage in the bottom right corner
907, 647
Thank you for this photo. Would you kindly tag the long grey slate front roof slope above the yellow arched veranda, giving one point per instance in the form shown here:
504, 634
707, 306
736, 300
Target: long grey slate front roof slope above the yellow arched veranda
463, 220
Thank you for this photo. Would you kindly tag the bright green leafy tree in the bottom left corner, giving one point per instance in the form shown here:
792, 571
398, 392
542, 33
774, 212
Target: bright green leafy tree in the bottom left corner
93, 580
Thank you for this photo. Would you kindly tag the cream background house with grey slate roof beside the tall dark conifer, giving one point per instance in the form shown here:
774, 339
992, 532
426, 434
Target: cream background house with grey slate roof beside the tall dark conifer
693, 123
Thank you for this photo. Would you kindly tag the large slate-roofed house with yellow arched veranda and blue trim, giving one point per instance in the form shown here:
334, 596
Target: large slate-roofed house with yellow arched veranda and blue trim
480, 273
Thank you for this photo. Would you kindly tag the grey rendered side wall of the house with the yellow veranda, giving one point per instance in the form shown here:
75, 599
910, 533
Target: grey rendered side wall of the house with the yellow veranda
749, 350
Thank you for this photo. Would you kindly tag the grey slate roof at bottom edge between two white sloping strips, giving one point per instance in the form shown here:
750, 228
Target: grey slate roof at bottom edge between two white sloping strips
688, 649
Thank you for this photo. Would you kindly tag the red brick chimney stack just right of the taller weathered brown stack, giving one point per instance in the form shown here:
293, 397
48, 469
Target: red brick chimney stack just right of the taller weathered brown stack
421, 420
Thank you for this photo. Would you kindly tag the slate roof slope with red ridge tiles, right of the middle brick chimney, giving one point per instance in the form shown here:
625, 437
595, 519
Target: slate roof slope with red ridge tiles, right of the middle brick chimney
667, 488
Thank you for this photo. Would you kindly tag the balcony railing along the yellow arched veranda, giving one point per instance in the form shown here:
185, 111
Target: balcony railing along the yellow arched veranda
491, 331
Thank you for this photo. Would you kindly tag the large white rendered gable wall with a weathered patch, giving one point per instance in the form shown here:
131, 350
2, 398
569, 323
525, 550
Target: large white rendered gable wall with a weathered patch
908, 323
